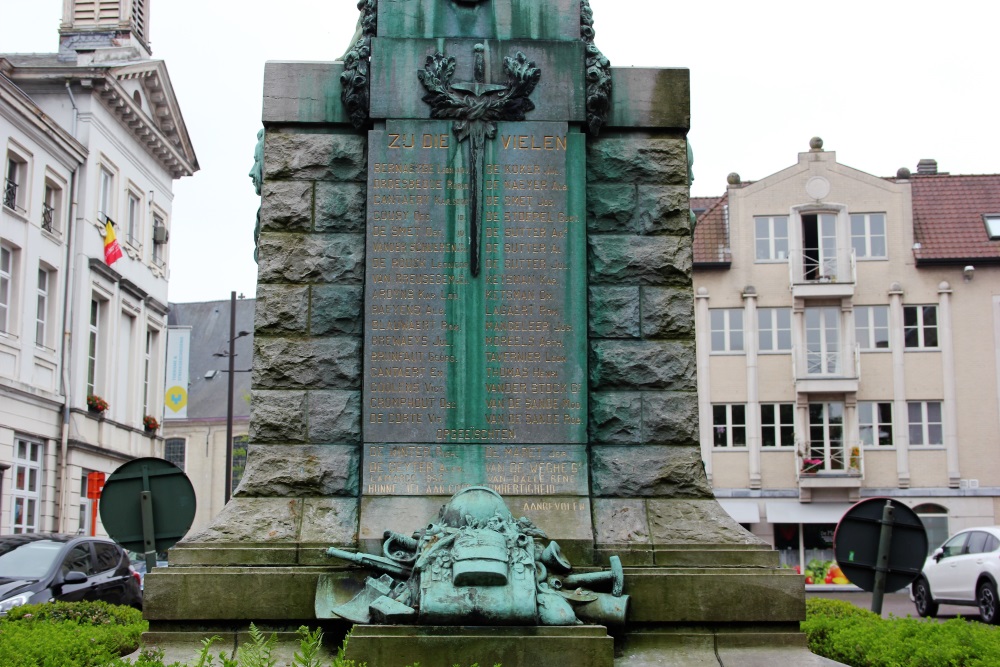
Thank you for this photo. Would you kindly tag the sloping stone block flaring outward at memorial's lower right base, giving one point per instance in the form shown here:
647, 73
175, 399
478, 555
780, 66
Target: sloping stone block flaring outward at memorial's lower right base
694, 522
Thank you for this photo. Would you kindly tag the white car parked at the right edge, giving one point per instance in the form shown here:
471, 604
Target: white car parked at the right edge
963, 571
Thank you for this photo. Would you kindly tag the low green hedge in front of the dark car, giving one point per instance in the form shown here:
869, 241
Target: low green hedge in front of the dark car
68, 634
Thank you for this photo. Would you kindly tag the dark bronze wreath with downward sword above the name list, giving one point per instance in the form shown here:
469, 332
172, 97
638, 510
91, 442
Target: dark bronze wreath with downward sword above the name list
475, 107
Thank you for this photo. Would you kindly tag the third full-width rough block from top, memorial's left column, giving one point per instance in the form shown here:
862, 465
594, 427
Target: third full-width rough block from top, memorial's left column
313, 363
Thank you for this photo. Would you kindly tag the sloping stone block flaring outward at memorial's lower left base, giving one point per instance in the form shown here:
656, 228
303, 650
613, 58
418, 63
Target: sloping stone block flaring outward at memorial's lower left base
262, 520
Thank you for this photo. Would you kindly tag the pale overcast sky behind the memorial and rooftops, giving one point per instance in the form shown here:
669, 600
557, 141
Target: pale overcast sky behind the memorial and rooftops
884, 83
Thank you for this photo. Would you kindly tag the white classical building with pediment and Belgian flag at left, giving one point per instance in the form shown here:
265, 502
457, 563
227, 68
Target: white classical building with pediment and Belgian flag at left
72, 326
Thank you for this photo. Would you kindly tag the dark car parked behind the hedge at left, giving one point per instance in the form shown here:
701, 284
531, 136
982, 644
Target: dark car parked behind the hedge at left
38, 567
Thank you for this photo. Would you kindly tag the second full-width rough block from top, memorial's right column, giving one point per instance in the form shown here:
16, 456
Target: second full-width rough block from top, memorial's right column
639, 260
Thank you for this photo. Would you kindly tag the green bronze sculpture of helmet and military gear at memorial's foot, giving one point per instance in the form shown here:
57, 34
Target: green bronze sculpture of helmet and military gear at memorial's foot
475, 564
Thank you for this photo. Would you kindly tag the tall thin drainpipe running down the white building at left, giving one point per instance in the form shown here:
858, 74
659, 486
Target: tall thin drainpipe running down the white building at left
67, 338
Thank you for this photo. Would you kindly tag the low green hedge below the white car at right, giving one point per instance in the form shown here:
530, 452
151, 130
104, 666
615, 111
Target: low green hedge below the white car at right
840, 631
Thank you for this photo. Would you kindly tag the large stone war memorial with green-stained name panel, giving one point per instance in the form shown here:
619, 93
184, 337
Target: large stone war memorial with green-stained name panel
474, 341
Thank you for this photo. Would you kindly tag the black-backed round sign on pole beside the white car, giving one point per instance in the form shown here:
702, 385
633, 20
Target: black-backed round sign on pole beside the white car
856, 542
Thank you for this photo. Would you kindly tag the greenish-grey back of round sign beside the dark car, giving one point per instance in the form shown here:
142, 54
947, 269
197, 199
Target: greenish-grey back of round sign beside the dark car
147, 506
